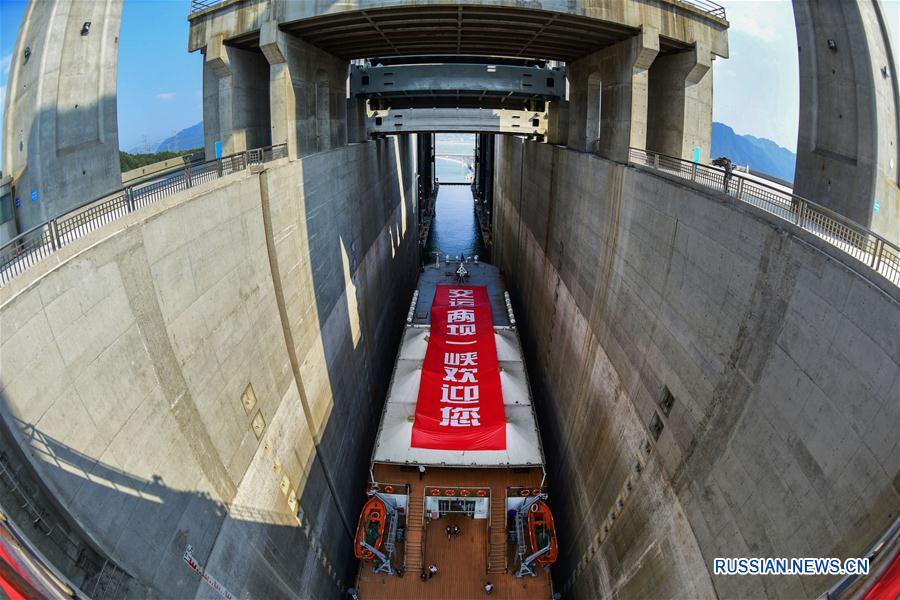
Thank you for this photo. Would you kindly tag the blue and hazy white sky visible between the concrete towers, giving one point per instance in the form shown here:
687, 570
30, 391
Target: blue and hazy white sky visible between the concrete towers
159, 88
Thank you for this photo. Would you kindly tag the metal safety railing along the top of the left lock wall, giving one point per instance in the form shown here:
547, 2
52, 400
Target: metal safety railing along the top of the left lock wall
36, 244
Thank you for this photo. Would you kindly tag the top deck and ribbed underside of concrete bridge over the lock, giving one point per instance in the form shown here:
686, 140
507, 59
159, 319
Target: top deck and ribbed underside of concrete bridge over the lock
515, 28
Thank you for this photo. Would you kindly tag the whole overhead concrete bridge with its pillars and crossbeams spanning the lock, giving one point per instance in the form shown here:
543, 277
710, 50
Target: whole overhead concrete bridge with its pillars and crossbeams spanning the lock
609, 46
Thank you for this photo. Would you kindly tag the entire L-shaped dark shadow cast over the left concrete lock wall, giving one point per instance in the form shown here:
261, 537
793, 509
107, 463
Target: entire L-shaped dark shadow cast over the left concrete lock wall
363, 233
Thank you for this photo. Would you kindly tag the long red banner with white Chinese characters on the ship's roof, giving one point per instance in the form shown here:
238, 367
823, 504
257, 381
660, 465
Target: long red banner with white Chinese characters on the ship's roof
460, 404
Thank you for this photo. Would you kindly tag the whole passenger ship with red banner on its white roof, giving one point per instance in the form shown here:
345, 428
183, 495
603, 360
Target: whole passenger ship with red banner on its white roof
457, 475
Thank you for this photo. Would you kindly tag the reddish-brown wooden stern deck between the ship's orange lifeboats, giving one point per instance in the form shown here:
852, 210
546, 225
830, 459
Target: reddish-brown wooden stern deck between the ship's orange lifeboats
462, 561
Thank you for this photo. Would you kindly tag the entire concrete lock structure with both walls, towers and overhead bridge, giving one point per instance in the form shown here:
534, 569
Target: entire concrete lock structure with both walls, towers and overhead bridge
193, 376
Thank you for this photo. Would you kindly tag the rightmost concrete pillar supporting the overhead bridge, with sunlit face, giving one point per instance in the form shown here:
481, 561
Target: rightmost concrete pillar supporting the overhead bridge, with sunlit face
679, 109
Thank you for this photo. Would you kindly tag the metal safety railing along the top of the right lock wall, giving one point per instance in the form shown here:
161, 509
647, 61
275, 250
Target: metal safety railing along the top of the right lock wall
854, 239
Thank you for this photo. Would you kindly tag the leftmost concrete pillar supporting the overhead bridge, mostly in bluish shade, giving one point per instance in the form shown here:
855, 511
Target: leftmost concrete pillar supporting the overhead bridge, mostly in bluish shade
235, 98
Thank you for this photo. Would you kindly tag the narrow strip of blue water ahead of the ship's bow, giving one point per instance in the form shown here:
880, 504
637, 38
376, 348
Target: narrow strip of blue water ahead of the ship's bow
454, 230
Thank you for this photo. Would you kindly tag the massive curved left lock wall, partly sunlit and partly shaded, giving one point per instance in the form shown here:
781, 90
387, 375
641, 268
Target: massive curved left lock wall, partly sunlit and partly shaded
127, 354
